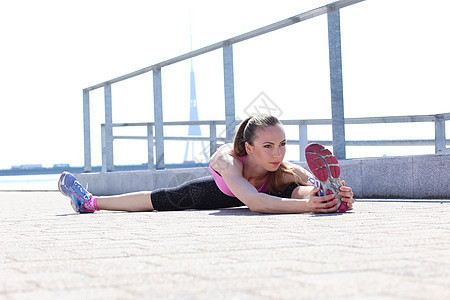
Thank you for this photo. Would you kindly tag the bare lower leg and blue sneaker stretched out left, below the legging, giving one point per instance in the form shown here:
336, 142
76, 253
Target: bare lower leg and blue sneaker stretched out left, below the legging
84, 202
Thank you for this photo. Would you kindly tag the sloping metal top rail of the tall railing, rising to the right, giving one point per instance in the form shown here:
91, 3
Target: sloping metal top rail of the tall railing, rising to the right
248, 35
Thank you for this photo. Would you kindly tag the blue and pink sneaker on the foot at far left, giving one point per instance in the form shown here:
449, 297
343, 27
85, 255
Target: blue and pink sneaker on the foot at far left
82, 201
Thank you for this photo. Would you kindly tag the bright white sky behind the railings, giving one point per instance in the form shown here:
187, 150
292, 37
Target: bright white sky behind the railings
395, 62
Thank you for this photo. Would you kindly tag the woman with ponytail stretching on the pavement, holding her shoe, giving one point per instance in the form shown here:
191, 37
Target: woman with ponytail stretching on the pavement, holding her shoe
250, 172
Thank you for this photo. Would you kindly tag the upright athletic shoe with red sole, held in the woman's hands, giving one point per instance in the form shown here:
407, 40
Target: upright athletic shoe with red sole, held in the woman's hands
325, 167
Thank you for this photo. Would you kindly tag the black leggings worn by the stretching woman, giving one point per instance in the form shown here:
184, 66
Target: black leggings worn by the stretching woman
201, 193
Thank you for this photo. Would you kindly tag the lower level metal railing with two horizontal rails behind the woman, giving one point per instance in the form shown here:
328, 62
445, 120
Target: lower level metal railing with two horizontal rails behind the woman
440, 142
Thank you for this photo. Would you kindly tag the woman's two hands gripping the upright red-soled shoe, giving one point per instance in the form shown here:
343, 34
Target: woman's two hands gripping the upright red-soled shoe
328, 204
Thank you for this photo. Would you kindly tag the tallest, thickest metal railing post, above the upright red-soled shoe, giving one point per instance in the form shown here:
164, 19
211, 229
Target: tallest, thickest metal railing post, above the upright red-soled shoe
337, 92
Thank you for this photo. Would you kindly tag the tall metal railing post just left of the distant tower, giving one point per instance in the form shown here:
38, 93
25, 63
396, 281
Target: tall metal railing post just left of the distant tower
159, 126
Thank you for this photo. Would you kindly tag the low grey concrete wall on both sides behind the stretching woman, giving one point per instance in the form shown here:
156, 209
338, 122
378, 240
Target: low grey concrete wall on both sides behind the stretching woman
411, 177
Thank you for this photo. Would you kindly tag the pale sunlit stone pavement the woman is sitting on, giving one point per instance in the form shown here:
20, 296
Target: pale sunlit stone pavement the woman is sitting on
383, 249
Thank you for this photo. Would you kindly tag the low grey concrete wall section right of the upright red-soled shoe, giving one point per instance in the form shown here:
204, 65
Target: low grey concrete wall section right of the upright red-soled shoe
412, 177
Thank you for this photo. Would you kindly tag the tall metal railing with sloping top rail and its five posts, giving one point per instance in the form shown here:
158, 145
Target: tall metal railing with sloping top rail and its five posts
332, 11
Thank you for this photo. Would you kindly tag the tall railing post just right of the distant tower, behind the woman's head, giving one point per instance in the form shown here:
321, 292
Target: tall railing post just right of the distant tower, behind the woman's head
228, 74
